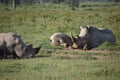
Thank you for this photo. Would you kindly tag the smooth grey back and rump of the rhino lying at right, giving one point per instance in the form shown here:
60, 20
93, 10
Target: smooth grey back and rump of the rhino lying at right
98, 36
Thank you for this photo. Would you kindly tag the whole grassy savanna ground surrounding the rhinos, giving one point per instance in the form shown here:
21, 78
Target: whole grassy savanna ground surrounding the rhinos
36, 23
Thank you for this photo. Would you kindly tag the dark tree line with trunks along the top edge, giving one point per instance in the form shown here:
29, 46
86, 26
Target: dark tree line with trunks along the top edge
73, 3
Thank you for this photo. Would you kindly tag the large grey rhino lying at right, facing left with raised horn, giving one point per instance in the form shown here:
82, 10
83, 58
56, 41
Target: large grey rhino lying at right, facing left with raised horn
91, 37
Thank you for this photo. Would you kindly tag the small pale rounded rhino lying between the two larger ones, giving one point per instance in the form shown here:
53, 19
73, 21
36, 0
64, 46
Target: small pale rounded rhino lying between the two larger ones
60, 39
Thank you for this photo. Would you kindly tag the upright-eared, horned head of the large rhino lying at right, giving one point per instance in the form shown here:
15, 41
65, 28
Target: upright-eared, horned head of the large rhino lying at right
83, 40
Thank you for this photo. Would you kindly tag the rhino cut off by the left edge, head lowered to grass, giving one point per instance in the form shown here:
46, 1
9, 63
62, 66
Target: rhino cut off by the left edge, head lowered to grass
11, 44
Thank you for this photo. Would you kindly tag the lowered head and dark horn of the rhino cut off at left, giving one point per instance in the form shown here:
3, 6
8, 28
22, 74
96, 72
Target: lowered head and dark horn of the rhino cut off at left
24, 51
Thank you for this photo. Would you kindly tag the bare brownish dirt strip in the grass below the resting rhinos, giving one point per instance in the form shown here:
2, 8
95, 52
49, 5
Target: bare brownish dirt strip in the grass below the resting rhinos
94, 54
